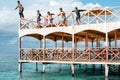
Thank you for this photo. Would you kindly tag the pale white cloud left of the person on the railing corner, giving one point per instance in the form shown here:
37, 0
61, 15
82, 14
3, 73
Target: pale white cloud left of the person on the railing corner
8, 20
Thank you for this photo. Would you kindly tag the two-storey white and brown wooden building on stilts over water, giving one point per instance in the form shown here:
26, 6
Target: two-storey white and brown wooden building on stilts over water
98, 26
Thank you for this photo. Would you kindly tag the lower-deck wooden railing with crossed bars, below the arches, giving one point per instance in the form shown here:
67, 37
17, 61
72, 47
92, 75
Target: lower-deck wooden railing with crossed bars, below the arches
75, 55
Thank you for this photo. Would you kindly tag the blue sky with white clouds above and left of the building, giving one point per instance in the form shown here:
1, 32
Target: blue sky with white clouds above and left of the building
9, 17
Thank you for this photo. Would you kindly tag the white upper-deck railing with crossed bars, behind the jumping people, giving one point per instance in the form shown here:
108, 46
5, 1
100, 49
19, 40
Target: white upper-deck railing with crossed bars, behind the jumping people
104, 15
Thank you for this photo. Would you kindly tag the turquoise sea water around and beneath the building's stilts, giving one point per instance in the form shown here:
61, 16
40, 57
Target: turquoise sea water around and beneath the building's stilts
9, 71
